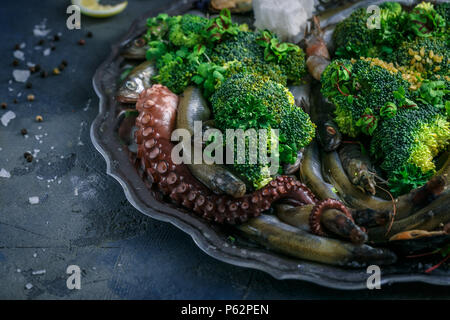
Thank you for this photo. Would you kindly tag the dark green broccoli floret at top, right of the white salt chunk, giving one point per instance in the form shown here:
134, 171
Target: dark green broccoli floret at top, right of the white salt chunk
354, 39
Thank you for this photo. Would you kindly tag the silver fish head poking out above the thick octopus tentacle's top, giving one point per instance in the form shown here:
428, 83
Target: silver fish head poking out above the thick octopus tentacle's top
137, 80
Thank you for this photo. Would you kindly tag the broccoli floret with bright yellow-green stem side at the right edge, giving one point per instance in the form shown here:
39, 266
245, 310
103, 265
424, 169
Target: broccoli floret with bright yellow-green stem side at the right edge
412, 137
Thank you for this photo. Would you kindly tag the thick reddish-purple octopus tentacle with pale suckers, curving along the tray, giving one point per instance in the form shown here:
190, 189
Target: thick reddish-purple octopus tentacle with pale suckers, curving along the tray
157, 108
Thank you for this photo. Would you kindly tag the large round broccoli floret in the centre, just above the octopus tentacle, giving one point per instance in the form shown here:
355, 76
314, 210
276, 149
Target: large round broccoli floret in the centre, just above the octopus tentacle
246, 101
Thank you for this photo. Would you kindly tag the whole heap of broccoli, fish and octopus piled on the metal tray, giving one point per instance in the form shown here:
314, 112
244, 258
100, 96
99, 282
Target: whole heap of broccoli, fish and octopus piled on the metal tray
346, 192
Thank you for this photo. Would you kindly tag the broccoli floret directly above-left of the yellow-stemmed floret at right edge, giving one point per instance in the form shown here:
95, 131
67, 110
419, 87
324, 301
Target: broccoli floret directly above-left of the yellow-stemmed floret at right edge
359, 90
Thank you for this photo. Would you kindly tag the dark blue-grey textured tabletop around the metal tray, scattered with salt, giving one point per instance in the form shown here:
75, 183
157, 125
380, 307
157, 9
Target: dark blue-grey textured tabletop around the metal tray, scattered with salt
85, 219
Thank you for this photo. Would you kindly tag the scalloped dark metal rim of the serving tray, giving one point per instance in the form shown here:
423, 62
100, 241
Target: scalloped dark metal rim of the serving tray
212, 239
